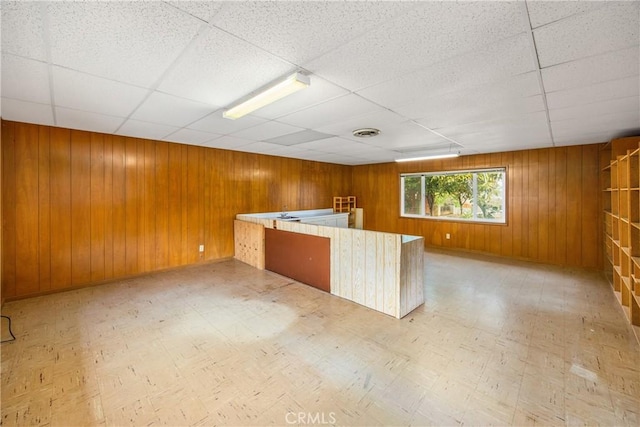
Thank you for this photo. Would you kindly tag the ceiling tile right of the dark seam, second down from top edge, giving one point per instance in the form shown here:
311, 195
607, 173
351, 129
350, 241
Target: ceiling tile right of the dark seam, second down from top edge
607, 29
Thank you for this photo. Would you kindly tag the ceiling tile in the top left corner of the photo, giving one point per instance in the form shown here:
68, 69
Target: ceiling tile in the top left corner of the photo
22, 29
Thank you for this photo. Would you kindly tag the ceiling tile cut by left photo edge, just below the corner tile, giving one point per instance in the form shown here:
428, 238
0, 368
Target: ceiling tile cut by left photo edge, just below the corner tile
25, 79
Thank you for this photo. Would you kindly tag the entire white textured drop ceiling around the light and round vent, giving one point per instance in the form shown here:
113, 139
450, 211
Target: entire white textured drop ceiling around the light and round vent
434, 77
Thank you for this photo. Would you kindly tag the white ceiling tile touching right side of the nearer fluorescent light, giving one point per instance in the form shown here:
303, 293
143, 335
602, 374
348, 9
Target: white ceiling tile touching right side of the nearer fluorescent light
318, 91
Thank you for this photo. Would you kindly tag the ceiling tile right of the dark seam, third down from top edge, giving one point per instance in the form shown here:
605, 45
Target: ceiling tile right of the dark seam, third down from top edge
595, 69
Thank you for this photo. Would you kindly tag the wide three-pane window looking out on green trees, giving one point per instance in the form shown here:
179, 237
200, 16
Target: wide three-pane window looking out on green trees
474, 195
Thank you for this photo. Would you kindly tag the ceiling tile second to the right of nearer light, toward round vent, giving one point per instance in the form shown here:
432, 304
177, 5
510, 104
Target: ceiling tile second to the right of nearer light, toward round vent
336, 109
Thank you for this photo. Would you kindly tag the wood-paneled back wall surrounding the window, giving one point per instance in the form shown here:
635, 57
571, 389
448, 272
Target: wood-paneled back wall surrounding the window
553, 205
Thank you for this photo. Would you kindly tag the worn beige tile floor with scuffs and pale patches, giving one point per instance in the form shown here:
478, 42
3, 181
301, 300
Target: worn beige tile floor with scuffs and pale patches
497, 343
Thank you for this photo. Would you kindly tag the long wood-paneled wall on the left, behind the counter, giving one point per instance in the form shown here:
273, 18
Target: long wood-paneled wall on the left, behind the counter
83, 207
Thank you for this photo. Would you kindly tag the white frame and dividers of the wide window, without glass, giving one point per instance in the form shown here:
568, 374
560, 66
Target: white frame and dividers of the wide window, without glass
474, 220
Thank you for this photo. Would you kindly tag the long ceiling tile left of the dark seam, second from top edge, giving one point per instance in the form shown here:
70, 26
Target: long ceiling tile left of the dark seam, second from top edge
490, 65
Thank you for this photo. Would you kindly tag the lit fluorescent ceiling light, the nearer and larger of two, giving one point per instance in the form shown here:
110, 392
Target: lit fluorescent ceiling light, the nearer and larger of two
267, 95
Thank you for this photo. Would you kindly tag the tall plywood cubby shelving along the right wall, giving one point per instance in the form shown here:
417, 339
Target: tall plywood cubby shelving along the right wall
621, 204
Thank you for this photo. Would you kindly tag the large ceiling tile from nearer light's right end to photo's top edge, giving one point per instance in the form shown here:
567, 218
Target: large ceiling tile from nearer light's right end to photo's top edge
415, 40
